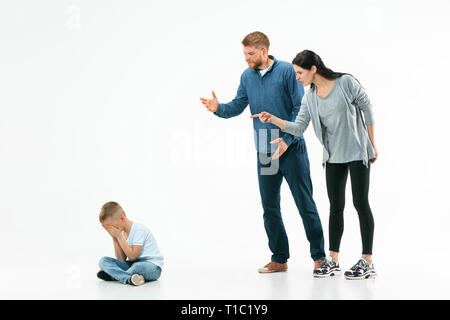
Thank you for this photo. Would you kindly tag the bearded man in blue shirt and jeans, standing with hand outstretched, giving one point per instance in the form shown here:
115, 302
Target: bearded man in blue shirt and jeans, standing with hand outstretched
270, 85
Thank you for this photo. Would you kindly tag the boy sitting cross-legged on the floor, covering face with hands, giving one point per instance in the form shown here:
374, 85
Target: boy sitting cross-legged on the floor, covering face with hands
133, 241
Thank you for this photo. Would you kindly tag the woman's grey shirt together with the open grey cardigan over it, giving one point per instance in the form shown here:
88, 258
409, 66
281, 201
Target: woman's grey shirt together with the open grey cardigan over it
338, 122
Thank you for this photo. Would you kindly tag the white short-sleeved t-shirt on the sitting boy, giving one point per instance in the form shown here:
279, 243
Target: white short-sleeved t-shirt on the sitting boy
140, 235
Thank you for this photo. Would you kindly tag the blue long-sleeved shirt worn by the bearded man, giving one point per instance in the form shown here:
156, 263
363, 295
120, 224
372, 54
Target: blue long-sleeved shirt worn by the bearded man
277, 92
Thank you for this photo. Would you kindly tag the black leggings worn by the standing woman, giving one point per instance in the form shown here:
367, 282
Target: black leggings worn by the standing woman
336, 175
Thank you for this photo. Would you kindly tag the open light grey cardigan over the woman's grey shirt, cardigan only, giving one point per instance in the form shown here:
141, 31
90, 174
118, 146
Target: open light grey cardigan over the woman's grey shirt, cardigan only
357, 103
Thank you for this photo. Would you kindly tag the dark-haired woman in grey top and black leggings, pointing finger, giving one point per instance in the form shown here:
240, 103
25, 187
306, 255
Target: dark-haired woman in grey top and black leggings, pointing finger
335, 104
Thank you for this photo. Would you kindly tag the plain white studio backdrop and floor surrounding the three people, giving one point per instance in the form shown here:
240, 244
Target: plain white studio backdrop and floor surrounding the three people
99, 101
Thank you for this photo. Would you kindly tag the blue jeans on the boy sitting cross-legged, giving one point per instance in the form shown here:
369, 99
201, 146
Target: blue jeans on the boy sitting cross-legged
122, 270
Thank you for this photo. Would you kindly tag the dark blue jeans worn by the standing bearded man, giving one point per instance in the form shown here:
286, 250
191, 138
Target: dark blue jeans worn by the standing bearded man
293, 165
